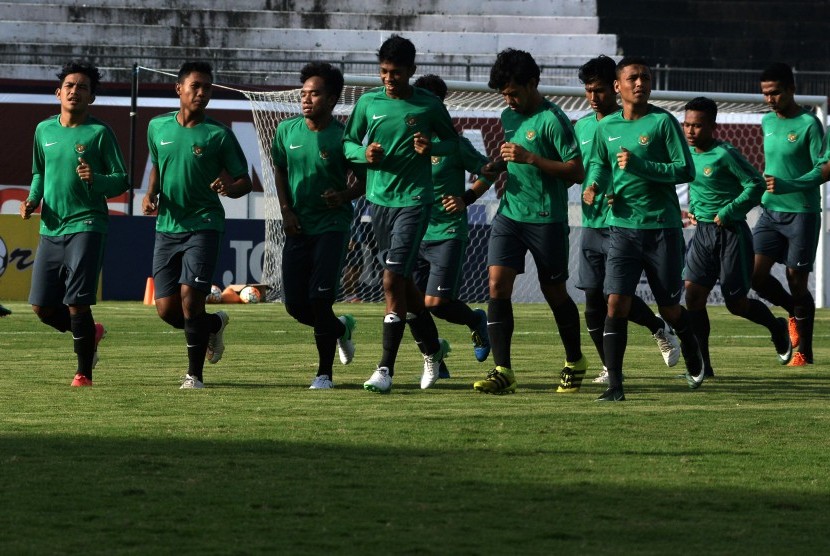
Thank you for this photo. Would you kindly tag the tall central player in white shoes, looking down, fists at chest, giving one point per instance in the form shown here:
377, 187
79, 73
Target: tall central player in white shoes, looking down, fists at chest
398, 122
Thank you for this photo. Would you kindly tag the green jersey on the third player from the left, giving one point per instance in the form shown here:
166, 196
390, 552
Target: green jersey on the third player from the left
314, 163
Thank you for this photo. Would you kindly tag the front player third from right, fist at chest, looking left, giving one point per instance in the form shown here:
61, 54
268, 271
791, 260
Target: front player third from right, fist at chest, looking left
643, 149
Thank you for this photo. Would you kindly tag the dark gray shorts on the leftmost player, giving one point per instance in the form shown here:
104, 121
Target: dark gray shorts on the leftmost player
66, 269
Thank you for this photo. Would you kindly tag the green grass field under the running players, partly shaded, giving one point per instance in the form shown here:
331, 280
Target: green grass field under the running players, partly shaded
257, 463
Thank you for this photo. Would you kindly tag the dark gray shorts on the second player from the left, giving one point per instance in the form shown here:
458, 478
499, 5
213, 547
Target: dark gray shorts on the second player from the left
185, 259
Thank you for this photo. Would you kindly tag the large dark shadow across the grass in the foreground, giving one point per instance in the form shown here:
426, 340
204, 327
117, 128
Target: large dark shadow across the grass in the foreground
97, 496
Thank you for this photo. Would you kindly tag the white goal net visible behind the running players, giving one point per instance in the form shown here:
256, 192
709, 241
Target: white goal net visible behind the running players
476, 110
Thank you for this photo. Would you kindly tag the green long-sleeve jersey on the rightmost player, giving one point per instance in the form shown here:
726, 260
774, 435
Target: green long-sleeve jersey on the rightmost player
792, 148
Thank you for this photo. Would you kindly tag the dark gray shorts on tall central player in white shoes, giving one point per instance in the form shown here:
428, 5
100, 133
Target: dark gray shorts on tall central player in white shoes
398, 232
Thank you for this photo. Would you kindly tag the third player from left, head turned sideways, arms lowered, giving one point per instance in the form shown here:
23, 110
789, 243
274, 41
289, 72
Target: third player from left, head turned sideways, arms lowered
317, 215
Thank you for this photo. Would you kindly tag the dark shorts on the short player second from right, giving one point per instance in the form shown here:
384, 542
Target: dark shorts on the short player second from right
719, 253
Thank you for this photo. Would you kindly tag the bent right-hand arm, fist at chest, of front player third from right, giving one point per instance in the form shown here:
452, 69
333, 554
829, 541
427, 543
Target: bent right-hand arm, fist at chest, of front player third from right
679, 169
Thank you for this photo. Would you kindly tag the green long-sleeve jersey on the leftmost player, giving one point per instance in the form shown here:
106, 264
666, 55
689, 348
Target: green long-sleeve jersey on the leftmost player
69, 204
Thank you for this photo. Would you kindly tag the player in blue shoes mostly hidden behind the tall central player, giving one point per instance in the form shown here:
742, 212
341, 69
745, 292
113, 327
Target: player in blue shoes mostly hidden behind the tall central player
445, 243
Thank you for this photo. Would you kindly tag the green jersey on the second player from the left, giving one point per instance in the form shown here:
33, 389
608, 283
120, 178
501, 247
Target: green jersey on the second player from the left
188, 160
